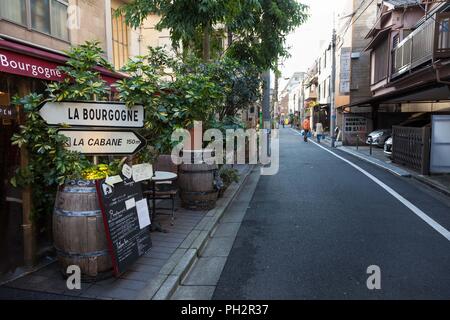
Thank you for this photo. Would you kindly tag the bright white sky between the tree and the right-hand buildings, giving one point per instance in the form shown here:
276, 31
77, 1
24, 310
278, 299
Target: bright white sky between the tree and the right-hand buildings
304, 44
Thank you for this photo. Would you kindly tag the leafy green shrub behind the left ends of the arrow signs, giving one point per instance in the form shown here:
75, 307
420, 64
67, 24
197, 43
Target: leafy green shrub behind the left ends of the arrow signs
49, 163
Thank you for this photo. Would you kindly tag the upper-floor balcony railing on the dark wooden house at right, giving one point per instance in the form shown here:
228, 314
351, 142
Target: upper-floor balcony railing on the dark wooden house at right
428, 42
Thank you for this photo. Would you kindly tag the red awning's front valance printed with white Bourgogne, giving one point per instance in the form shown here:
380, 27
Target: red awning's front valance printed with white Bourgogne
28, 66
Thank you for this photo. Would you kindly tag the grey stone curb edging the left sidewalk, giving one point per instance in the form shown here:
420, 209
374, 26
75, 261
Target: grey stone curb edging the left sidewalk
164, 285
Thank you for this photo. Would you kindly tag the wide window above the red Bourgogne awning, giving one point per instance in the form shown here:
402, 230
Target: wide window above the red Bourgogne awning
47, 16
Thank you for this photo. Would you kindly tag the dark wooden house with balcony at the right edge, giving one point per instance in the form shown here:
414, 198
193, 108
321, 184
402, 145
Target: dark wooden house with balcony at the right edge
410, 51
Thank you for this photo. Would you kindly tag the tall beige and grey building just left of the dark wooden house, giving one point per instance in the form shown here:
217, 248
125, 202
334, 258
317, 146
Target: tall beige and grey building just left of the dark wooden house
352, 87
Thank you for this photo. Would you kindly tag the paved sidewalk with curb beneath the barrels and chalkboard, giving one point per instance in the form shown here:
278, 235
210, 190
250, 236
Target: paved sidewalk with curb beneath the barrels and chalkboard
154, 276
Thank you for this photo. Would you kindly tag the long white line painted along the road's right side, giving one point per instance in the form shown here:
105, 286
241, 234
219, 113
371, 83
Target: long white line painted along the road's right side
422, 215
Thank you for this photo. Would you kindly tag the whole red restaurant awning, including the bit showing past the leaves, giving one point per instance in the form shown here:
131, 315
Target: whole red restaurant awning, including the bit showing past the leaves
28, 61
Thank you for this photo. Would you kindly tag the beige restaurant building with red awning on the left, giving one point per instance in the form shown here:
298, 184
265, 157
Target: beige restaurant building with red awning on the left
33, 37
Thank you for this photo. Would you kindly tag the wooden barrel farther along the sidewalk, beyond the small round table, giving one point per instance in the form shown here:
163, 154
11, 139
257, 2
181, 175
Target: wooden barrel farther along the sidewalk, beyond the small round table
196, 182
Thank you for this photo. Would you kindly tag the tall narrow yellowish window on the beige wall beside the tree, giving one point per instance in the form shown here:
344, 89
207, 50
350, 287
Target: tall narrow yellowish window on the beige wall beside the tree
120, 41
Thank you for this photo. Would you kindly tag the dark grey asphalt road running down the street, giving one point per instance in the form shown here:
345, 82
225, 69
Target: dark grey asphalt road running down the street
312, 231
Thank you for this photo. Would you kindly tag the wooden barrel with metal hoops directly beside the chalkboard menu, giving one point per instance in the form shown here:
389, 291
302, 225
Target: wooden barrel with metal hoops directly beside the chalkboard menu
79, 233
